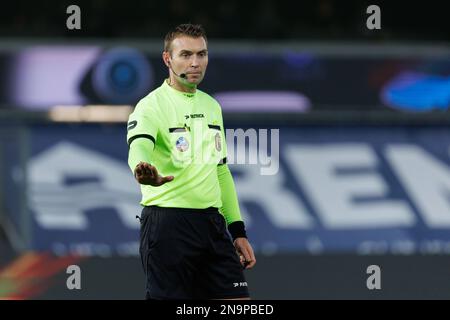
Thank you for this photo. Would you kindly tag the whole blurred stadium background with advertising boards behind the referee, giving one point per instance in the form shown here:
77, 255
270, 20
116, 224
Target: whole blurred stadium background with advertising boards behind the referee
364, 170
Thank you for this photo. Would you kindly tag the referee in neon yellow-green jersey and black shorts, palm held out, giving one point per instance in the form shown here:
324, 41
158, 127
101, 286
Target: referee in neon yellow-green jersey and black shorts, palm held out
177, 152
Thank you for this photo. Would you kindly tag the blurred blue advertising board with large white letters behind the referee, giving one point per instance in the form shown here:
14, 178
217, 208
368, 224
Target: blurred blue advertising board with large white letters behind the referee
319, 190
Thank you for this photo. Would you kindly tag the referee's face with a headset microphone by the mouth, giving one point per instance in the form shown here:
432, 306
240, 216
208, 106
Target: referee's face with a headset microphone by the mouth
189, 56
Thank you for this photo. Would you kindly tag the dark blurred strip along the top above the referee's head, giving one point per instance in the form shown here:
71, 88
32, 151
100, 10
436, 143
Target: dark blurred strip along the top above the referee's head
231, 19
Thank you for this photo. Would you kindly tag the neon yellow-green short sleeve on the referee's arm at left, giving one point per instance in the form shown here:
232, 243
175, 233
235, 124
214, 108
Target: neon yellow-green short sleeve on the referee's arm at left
143, 122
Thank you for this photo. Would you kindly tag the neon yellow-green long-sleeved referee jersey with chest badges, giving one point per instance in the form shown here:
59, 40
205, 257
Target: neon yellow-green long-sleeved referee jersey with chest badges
184, 137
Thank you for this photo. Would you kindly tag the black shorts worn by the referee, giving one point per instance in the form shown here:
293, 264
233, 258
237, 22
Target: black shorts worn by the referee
188, 254
